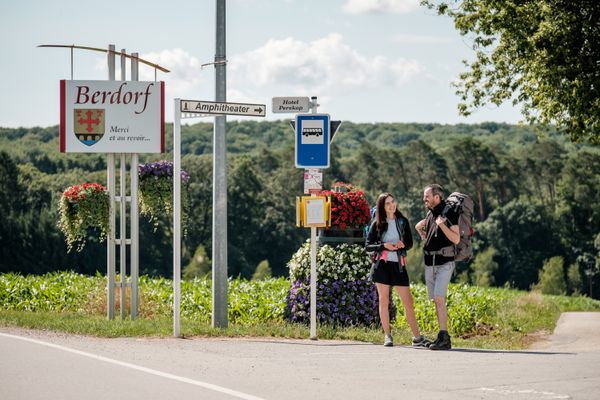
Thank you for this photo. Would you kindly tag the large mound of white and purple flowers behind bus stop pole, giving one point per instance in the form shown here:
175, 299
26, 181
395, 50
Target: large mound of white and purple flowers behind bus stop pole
345, 296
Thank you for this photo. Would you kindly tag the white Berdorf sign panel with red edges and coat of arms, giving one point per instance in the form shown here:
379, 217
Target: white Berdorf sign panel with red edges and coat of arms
112, 117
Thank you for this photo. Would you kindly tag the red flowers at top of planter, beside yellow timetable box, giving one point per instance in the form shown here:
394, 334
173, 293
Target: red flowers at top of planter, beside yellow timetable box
349, 207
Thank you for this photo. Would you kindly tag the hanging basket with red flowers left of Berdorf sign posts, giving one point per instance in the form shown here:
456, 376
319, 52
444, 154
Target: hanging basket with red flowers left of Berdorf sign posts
82, 207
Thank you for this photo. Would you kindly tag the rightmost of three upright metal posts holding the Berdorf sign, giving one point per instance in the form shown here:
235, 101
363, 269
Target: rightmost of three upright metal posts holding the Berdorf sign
135, 225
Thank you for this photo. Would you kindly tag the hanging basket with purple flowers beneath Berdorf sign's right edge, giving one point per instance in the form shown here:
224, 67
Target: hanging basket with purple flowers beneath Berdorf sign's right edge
156, 191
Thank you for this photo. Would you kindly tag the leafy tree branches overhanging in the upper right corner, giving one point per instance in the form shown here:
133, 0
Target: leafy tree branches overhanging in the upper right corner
541, 54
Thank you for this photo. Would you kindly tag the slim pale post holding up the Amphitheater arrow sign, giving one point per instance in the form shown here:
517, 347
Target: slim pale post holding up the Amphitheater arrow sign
176, 218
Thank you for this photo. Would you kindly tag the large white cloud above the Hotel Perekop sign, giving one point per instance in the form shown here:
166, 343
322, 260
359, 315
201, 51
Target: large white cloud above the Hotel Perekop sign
325, 65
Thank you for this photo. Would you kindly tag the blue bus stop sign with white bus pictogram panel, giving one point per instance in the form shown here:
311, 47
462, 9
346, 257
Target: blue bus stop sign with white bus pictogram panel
312, 140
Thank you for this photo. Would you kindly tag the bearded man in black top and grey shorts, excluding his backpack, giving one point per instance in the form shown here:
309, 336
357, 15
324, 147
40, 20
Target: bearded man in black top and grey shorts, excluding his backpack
440, 232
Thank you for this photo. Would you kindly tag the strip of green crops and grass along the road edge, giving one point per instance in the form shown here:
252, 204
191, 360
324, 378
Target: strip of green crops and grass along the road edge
76, 303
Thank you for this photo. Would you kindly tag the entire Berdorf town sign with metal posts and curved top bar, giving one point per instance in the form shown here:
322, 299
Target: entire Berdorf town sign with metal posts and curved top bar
115, 117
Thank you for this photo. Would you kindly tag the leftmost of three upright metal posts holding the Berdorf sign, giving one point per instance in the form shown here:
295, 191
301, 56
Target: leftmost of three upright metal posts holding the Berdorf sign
110, 184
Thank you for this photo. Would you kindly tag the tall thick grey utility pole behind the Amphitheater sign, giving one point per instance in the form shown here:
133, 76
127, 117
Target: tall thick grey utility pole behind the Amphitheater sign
219, 245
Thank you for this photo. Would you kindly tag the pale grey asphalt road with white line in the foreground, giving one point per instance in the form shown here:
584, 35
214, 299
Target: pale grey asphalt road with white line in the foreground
46, 365
